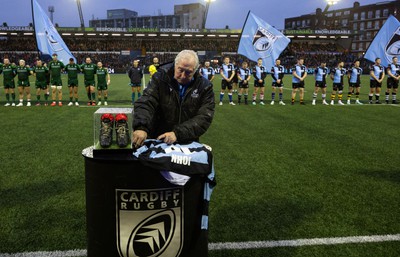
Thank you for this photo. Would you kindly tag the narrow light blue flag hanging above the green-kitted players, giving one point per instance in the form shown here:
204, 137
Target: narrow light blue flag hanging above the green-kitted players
48, 40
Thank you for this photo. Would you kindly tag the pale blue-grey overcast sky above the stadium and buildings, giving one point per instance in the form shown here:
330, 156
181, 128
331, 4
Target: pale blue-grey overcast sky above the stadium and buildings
221, 13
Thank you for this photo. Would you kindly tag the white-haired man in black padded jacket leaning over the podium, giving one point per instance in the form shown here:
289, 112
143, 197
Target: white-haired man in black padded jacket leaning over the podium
177, 105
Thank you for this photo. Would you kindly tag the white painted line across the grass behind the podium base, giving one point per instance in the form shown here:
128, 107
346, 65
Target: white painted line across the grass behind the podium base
240, 245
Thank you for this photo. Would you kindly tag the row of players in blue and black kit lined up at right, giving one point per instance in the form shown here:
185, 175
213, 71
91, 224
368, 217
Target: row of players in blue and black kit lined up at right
231, 76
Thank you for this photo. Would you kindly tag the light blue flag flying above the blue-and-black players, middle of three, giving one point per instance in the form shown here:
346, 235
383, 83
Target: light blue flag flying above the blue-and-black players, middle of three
261, 40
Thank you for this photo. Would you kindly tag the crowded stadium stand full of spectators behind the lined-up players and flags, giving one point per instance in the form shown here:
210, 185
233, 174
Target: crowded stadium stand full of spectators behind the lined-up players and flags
108, 50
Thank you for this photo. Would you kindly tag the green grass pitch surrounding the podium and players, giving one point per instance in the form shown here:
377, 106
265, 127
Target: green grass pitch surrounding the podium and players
284, 172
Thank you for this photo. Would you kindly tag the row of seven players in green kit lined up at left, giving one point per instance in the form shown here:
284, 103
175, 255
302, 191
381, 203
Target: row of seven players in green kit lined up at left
50, 74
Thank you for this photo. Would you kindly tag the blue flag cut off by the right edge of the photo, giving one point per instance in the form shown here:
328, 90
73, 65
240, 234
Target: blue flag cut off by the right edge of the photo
386, 43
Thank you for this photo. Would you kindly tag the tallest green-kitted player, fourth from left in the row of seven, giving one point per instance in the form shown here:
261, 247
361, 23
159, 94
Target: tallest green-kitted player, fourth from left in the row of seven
55, 68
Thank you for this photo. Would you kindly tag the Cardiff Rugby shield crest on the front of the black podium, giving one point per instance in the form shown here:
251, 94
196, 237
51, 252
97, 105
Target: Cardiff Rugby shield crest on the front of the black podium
149, 222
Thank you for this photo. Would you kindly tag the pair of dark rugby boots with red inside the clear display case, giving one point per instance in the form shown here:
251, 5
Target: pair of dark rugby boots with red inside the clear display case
108, 122
